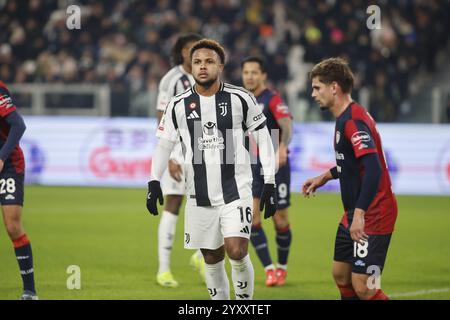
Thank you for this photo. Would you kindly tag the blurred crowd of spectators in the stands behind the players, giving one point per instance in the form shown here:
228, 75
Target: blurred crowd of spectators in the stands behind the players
127, 43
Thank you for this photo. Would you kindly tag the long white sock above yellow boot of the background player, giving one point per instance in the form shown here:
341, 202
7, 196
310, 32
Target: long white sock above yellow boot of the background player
166, 236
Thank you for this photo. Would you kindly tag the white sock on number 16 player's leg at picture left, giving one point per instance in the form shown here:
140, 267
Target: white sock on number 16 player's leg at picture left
217, 281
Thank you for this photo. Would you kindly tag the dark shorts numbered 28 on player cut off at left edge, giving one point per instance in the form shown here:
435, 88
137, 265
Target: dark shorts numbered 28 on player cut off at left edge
11, 188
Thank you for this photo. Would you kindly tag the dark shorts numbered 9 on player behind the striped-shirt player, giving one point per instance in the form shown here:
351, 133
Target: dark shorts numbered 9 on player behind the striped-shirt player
282, 179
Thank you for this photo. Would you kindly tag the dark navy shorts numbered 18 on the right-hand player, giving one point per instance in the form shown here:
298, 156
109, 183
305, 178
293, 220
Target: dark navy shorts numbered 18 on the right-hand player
363, 258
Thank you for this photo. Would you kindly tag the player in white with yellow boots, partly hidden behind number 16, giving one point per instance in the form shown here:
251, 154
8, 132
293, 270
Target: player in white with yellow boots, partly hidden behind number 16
176, 81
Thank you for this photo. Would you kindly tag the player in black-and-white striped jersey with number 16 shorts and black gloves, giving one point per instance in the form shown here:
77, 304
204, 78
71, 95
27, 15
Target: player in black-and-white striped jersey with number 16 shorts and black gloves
210, 120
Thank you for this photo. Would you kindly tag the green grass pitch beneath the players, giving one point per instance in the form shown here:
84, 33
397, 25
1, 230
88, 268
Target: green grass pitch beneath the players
110, 235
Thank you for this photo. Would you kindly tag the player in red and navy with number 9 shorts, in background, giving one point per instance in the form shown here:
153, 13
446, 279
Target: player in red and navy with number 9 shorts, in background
279, 123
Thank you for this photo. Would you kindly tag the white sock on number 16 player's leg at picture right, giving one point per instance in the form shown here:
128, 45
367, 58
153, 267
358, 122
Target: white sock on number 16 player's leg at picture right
243, 277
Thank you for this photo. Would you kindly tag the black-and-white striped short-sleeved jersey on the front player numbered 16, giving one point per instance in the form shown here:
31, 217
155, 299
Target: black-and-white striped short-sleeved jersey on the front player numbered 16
211, 131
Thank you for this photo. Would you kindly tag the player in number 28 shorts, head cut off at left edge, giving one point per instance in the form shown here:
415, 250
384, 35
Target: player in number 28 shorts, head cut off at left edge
12, 175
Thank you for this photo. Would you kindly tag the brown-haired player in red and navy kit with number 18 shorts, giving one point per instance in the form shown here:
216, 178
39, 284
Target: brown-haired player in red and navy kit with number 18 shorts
363, 236
